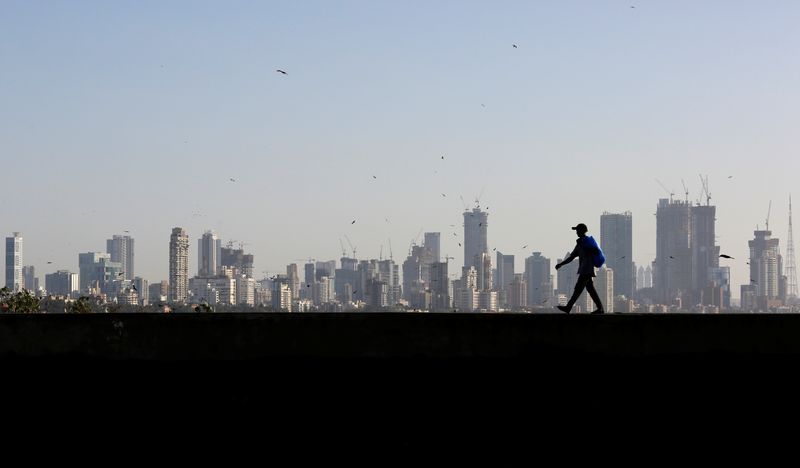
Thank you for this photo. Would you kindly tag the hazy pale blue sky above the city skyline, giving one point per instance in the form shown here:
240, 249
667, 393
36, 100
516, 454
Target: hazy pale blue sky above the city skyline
133, 116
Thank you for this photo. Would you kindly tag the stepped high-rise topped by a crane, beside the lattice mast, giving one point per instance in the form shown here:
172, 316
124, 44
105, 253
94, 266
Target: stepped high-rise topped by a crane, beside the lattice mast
765, 266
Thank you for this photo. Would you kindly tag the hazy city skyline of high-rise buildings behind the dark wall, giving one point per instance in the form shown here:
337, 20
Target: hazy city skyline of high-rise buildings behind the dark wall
685, 276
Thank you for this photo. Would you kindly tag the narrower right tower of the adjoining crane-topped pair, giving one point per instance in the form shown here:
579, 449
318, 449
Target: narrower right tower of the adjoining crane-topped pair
705, 252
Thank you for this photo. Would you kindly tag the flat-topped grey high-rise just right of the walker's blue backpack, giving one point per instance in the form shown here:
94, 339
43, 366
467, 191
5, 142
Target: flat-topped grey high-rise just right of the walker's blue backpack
616, 240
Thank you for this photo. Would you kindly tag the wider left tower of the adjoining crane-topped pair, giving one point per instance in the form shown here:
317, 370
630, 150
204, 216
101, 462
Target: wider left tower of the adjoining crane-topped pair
672, 276
